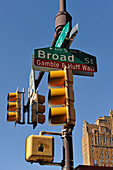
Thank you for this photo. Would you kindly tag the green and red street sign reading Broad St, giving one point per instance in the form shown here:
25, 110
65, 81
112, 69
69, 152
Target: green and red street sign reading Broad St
46, 59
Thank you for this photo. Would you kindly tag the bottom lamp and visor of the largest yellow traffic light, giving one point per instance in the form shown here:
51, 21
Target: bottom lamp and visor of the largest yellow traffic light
58, 115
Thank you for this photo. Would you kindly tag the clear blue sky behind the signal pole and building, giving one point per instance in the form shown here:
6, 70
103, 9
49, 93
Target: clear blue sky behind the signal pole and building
26, 25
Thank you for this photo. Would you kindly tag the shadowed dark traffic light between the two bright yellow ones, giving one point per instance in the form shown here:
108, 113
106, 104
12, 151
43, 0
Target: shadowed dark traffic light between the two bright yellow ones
38, 109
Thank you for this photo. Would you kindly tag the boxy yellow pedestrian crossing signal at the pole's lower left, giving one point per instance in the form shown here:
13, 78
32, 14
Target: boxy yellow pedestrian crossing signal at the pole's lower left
39, 148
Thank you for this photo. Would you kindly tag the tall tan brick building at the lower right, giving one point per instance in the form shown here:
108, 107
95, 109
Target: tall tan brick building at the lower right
97, 142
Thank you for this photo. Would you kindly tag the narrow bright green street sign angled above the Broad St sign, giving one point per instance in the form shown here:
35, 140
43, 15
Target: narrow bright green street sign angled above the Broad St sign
62, 35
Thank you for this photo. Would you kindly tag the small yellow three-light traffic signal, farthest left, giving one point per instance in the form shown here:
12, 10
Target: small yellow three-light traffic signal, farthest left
14, 107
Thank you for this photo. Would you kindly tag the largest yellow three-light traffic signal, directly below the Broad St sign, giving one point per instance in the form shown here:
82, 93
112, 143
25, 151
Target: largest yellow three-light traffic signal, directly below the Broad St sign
61, 98
